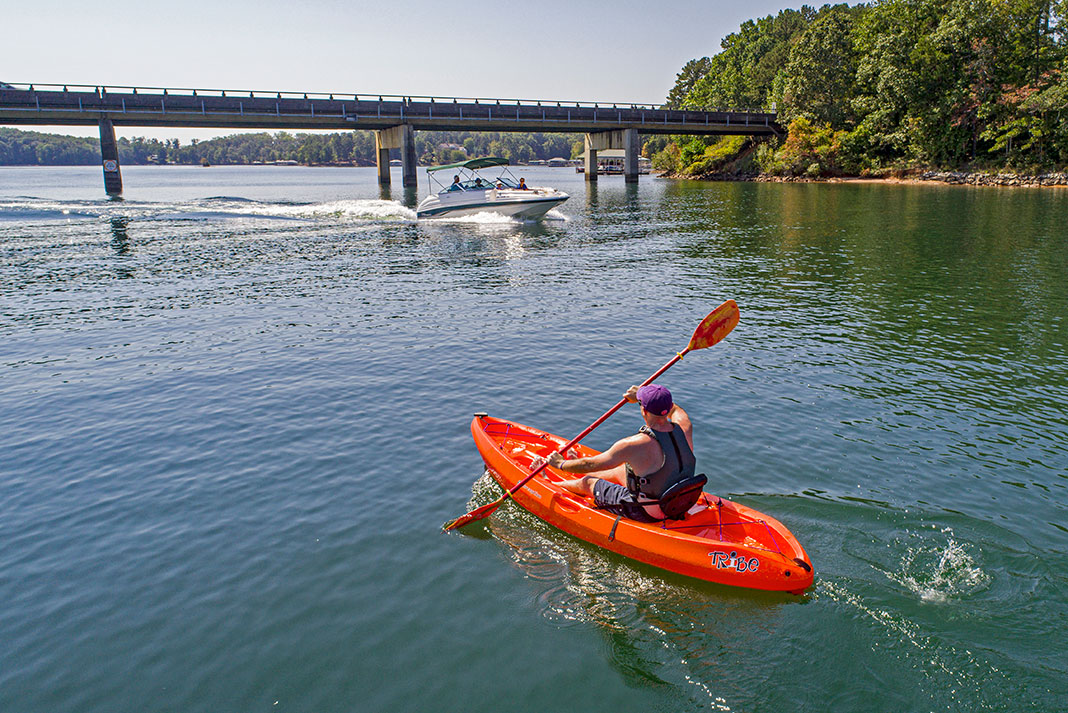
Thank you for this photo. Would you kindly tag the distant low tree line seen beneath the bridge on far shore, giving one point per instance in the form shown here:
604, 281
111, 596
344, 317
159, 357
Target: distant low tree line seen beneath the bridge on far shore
351, 148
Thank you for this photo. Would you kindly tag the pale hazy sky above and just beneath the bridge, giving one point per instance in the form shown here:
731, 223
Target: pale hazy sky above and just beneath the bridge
577, 51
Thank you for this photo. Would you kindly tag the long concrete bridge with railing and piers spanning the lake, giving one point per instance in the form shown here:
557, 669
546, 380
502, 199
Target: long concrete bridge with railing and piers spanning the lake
394, 118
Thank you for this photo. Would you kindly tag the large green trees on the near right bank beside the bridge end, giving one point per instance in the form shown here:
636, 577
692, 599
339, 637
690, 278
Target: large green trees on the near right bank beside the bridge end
888, 86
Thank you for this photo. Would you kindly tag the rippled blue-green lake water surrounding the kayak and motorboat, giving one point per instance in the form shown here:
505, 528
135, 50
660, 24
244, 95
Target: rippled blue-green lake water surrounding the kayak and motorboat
235, 407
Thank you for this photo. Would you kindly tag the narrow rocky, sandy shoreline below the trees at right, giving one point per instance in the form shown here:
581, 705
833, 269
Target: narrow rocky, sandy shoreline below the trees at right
1054, 180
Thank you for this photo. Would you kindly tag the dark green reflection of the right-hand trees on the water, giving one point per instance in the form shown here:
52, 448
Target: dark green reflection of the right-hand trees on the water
966, 270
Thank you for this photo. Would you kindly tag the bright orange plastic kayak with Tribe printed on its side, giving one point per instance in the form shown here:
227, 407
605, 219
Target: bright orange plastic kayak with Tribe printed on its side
718, 541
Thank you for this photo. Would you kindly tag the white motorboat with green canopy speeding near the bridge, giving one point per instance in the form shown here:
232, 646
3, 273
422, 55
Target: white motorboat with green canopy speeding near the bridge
470, 194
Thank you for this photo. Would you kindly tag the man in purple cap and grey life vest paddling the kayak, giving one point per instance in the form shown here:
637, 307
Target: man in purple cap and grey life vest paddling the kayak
630, 478
